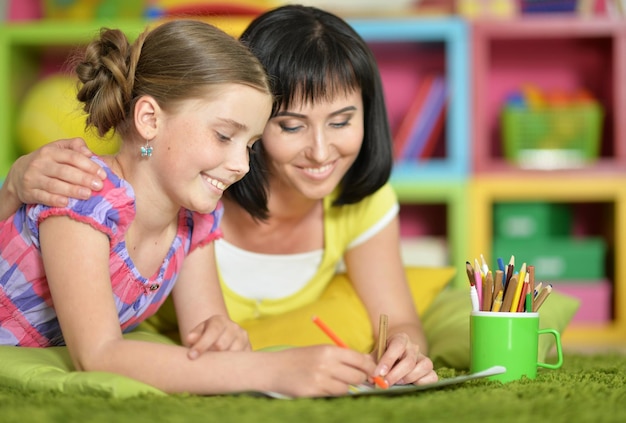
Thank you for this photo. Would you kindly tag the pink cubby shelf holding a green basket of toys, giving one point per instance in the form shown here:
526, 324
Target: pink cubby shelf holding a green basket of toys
550, 53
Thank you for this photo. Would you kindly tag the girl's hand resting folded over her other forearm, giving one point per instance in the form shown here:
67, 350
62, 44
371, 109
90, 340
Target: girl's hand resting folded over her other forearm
217, 333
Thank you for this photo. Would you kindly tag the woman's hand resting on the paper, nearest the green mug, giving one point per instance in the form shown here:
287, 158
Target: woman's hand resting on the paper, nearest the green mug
403, 363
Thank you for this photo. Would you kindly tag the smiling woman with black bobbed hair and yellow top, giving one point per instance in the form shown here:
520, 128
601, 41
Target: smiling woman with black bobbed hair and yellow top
324, 160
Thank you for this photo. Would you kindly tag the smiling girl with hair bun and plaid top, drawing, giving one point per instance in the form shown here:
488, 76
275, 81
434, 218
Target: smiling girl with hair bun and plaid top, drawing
189, 102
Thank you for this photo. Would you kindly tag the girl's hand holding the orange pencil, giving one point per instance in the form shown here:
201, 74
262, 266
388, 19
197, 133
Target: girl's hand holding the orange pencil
320, 370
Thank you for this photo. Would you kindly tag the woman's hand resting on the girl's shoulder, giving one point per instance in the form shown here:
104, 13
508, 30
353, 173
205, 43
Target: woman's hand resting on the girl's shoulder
55, 172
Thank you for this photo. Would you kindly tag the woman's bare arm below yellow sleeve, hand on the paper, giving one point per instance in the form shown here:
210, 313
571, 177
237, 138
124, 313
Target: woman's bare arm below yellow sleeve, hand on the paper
377, 273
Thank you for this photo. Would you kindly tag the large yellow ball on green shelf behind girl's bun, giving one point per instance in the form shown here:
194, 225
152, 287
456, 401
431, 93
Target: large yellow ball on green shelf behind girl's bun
51, 111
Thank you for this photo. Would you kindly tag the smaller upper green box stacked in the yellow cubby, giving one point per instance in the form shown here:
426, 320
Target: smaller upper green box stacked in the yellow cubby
531, 220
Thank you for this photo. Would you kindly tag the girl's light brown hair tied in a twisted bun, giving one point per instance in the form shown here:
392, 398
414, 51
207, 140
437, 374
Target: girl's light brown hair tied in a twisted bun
175, 61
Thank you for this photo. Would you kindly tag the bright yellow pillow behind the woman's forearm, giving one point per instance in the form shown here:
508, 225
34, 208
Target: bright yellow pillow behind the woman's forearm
340, 307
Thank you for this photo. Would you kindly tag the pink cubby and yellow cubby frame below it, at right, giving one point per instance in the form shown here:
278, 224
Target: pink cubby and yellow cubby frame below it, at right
552, 53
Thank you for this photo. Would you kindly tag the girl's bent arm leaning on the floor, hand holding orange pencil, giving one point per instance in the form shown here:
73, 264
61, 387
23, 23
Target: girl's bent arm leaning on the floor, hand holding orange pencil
76, 261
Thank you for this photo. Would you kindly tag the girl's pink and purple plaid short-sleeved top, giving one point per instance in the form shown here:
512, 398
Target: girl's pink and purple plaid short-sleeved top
27, 316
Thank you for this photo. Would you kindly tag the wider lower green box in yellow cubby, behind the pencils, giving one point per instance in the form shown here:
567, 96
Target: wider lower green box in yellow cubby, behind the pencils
557, 259
